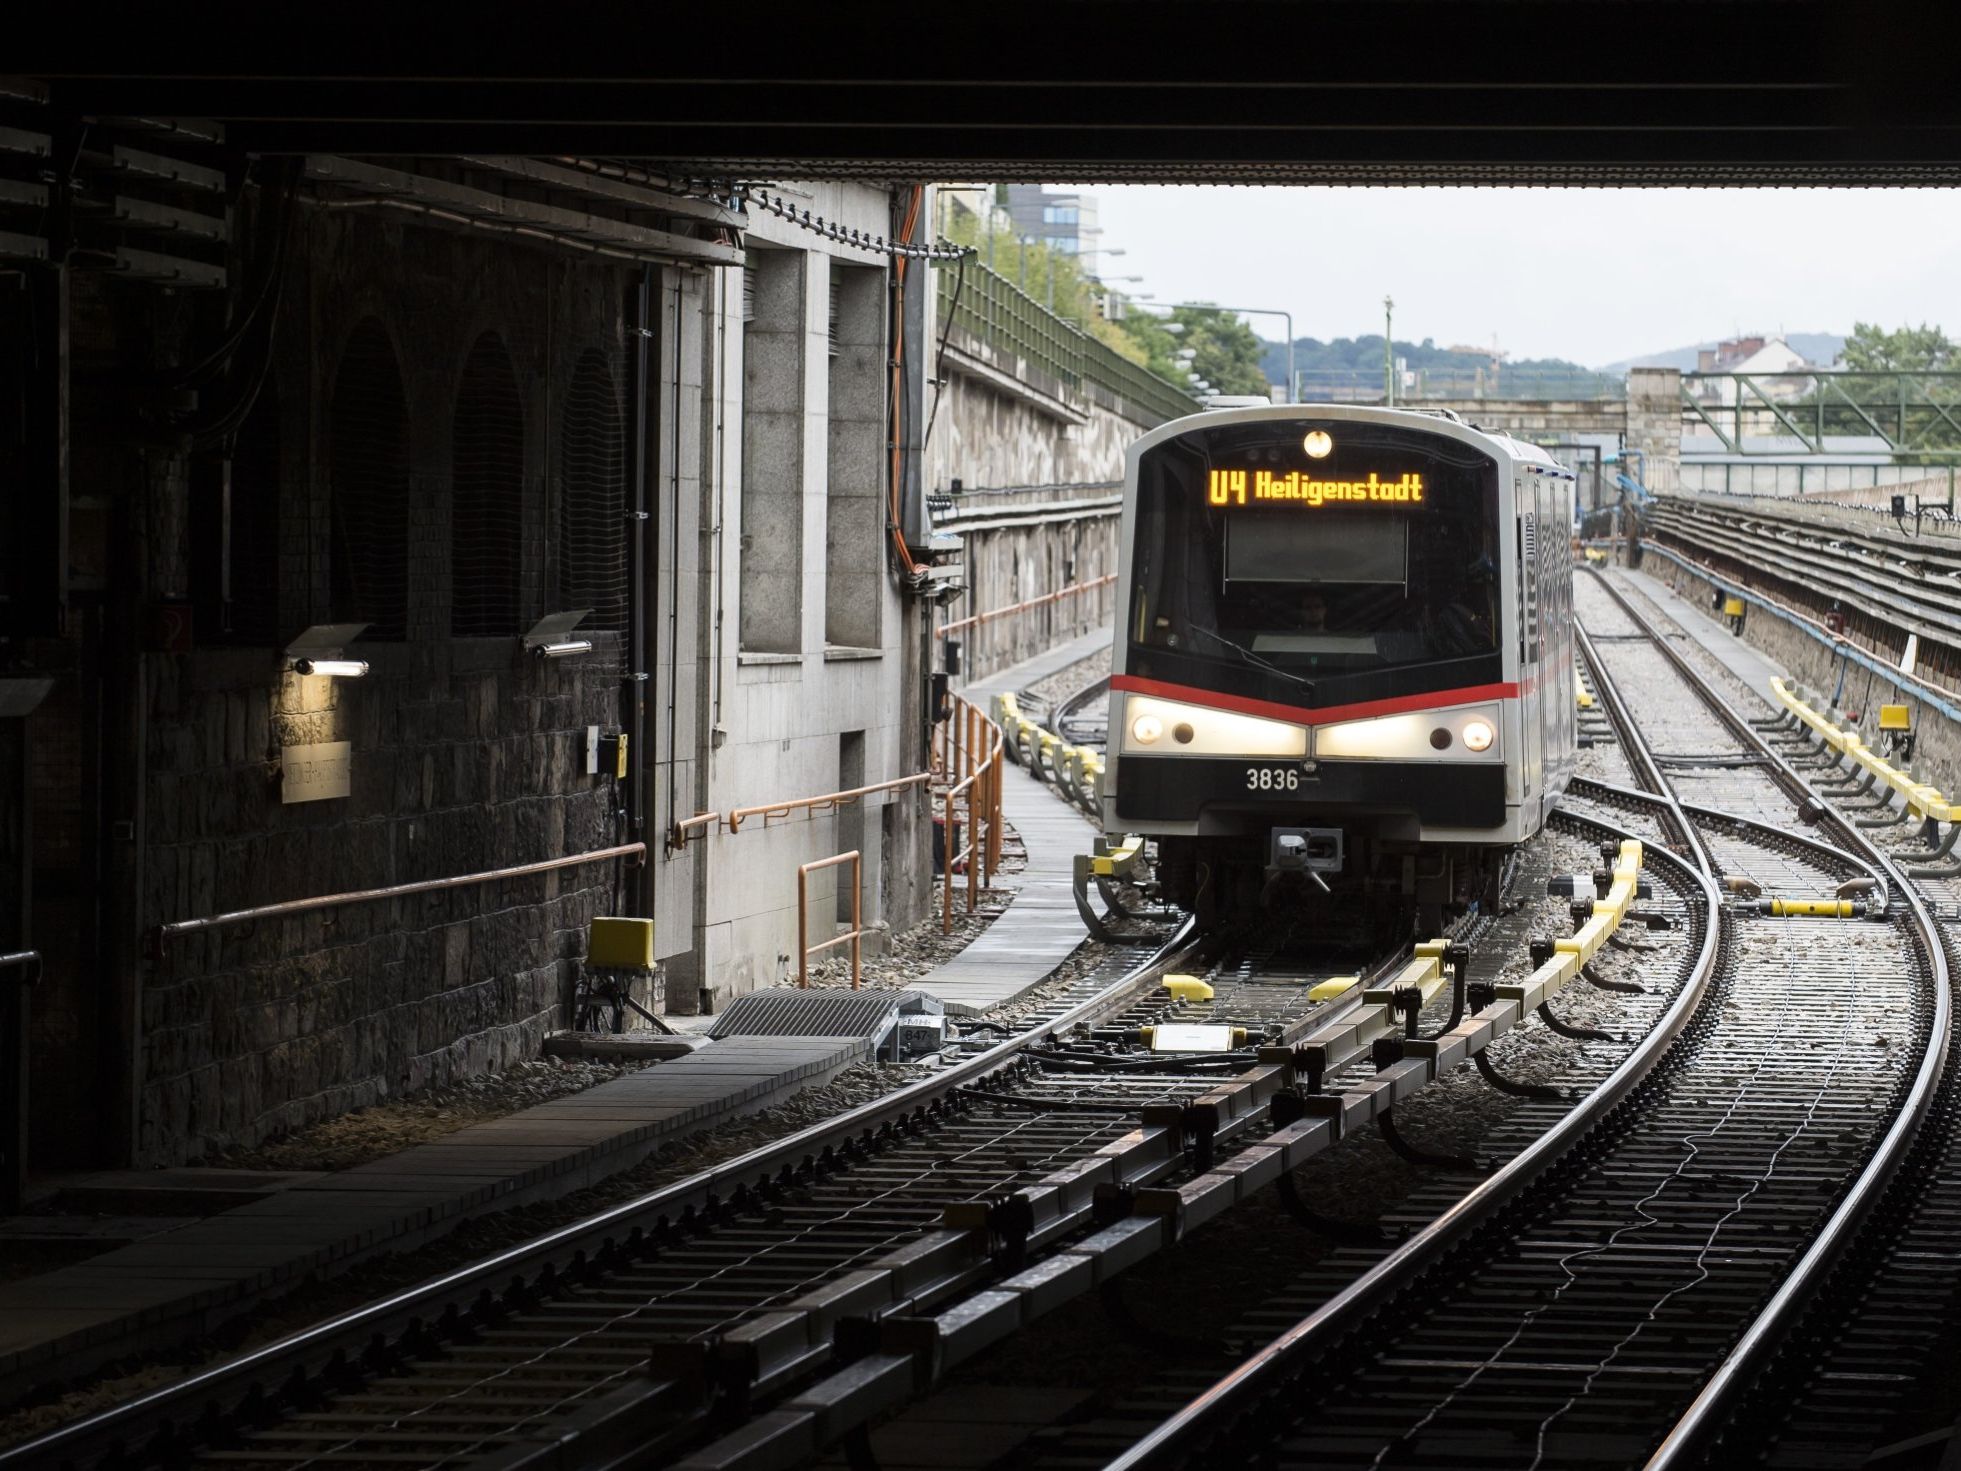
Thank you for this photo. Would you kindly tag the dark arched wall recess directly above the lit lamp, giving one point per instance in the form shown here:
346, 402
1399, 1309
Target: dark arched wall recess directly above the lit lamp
368, 468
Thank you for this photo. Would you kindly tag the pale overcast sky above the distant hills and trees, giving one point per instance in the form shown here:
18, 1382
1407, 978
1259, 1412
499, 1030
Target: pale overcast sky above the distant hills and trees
1587, 276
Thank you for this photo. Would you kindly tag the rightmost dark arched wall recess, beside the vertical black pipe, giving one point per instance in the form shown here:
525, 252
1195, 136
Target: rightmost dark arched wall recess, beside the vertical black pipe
593, 497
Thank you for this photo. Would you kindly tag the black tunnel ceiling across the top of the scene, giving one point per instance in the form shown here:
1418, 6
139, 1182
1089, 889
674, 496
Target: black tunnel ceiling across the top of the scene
1080, 91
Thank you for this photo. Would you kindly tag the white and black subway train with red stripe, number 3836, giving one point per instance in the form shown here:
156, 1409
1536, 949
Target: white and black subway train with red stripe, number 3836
1342, 678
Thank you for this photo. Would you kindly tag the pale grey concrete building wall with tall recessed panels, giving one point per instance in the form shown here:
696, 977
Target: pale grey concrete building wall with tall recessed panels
836, 697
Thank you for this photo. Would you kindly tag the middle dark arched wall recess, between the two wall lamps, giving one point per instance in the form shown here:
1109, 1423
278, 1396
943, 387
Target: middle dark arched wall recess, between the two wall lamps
487, 499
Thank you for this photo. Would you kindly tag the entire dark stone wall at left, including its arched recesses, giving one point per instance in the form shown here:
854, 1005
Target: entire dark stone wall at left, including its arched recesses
372, 497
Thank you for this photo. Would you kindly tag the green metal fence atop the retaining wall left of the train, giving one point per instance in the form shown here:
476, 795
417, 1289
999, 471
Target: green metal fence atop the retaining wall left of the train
1058, 354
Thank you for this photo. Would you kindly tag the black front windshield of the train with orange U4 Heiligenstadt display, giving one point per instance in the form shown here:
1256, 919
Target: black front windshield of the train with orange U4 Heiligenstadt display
1317, 566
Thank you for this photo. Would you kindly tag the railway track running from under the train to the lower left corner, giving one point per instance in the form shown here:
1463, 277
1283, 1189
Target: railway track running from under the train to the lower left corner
693, 1309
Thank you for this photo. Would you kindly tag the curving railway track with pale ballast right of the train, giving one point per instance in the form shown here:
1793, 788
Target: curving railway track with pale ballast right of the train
1617, 1292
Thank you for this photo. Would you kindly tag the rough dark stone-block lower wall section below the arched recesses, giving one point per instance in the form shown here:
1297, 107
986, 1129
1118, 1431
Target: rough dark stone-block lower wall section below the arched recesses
468, 756
